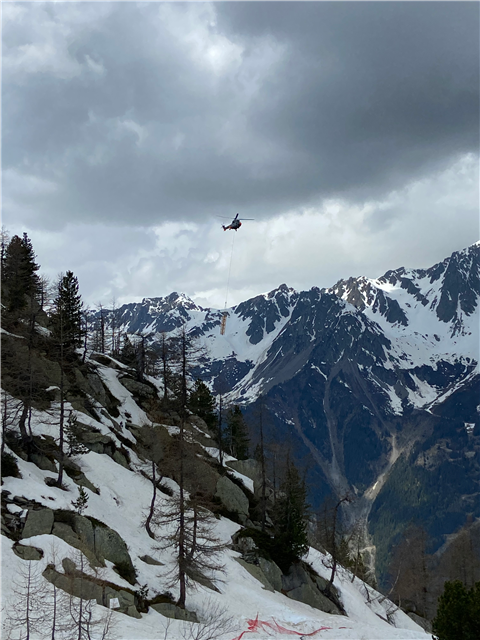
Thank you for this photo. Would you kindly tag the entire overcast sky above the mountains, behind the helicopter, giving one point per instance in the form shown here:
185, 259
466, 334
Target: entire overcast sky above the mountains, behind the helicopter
349, 131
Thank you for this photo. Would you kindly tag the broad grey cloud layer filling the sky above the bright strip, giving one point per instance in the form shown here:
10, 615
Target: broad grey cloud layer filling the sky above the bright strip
155, 112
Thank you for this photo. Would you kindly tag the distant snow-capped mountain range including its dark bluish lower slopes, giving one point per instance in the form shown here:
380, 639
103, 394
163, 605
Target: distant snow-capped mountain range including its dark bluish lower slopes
356, 377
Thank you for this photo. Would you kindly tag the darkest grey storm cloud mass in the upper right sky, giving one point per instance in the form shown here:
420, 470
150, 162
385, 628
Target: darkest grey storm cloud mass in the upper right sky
370, 93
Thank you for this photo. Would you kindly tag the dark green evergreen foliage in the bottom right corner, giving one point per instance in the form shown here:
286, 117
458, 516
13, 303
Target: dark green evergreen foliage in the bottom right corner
458, 614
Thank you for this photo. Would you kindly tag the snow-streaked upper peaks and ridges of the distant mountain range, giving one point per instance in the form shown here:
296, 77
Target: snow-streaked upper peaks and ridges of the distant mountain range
421, 317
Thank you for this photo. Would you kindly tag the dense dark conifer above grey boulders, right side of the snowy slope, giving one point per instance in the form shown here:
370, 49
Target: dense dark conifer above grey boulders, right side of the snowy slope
290, 519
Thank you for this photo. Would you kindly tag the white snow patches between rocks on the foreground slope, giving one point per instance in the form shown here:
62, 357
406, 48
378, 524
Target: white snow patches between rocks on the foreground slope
123, 500
